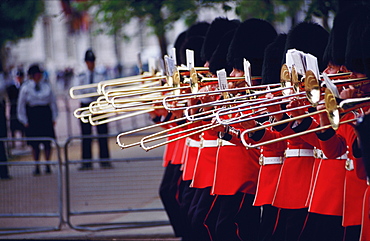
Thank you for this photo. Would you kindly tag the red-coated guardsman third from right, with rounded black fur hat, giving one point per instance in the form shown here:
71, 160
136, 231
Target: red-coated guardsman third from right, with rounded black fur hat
297, 170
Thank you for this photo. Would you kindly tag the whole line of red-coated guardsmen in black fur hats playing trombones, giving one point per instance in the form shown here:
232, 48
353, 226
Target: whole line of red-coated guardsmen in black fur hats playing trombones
310, 187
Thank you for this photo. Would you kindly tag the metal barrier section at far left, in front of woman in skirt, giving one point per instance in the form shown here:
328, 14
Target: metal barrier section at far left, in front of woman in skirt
35, 202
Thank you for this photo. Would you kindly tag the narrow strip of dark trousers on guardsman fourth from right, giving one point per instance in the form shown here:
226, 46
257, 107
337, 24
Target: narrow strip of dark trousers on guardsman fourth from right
268, 222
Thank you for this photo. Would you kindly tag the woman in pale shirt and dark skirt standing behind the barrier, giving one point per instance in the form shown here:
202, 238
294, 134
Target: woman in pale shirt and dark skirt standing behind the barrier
37, 111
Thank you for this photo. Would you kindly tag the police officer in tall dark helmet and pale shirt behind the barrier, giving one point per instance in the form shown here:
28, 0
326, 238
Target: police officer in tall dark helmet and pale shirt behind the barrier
89, 76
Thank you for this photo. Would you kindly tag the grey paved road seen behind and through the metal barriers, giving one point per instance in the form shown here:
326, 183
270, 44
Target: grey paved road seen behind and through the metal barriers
131, 184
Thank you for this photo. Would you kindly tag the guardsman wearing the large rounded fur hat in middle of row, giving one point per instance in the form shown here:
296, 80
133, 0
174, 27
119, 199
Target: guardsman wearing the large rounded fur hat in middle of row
236, 173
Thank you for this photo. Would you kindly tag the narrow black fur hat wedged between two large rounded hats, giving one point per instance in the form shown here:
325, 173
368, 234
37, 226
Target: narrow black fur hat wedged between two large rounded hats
274, 54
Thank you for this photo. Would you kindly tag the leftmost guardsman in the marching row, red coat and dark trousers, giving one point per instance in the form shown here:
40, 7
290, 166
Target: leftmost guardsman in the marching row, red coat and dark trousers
172, 185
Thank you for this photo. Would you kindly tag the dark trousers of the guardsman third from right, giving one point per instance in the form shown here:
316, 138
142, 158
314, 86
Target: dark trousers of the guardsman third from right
291, 223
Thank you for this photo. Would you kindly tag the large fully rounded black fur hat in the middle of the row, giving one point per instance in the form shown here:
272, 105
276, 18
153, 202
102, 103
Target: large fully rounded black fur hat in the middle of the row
249, 42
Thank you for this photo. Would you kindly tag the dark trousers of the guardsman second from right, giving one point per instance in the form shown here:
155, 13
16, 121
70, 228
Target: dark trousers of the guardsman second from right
322, 228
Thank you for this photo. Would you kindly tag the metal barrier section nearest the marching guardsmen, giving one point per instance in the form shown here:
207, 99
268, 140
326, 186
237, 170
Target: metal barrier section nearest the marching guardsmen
117, 192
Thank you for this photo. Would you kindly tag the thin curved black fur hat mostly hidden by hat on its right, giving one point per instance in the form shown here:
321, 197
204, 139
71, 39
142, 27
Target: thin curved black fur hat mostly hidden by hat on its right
216, 30
